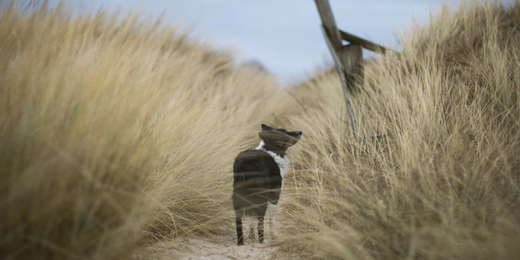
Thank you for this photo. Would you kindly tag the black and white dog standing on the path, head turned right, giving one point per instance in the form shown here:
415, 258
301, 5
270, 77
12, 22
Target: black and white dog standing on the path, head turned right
258, 175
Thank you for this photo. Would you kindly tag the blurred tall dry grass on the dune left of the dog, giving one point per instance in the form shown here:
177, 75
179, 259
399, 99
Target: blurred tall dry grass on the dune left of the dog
113, 130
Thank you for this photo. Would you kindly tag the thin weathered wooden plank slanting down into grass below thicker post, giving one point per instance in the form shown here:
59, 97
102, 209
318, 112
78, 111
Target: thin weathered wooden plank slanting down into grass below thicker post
344, 84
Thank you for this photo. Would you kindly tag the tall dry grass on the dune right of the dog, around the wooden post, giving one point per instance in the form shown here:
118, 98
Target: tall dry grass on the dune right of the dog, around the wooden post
445, 182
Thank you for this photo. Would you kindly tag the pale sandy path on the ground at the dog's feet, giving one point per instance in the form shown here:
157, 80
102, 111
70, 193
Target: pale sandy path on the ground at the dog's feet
222, 246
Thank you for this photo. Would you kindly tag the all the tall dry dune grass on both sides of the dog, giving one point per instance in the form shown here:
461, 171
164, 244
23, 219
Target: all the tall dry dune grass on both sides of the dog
115, 131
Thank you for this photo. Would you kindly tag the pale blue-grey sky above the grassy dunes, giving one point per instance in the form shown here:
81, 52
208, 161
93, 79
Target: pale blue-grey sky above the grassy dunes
284, 35
